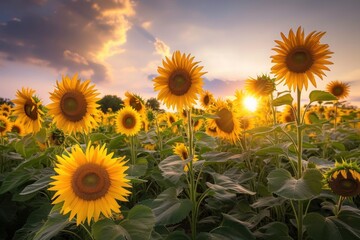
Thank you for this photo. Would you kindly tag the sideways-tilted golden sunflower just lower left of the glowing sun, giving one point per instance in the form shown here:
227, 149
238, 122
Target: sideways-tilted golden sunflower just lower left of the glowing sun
227, 123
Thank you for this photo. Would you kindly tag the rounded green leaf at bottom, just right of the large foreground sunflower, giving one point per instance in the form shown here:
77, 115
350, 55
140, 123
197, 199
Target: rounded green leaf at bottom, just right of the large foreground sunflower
139, 222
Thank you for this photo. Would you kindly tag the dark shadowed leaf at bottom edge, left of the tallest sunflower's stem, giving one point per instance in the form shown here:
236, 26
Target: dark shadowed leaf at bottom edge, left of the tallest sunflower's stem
273, 231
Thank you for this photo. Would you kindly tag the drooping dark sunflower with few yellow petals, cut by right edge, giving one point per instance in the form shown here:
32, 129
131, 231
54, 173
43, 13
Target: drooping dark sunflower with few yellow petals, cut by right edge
344, 179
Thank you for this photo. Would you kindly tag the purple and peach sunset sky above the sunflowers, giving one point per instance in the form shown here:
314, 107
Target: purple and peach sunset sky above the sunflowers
119, 44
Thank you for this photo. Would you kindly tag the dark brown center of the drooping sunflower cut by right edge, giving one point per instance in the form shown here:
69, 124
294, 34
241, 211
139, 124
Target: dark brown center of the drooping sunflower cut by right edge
346, 187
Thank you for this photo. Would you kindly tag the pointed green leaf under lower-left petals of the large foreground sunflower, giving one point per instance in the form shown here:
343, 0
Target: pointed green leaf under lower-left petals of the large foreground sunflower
53, 225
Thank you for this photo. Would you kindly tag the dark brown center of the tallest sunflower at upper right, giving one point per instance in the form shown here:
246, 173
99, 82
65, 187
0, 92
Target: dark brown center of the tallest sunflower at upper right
299, 60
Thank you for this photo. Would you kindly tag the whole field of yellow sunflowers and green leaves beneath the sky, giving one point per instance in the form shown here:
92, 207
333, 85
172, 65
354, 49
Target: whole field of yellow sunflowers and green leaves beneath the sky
208, 168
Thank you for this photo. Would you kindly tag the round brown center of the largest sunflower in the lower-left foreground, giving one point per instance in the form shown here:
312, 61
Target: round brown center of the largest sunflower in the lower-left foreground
90, 182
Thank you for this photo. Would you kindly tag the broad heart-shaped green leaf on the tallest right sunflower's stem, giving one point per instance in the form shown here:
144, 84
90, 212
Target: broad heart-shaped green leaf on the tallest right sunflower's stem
283, 184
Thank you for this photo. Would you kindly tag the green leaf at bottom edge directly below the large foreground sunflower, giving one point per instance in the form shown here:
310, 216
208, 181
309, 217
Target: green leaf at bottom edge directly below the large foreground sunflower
109, 230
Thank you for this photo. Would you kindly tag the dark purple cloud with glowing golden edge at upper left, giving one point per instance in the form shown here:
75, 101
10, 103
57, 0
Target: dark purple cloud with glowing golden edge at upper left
67, 35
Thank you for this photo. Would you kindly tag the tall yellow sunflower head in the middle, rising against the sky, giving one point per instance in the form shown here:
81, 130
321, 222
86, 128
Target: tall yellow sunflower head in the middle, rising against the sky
179, 81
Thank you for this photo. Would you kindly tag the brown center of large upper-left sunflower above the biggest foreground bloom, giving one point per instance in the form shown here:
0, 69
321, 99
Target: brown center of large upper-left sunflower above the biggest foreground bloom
73, 106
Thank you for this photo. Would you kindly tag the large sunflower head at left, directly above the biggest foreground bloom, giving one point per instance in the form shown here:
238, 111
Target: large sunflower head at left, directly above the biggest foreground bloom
73, 104
